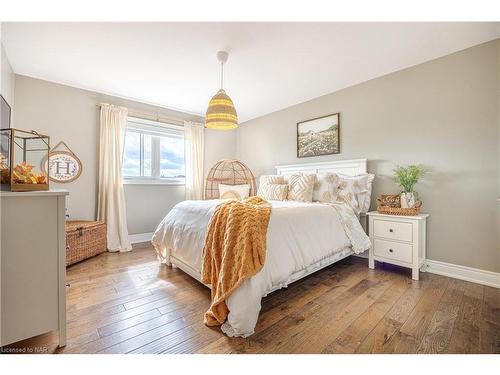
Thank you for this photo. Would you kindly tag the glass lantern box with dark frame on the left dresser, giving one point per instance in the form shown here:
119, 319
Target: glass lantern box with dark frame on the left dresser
21, 156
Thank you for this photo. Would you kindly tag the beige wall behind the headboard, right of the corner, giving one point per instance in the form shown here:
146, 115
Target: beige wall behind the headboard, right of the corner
442, 114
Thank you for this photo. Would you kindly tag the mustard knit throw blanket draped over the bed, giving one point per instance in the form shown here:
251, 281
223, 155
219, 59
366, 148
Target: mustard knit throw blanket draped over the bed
235, 250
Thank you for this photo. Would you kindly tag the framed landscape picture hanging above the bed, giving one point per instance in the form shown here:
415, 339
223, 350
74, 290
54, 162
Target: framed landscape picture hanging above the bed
319, 136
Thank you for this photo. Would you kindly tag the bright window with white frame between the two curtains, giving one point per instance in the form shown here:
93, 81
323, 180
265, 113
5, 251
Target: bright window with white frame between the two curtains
153, 152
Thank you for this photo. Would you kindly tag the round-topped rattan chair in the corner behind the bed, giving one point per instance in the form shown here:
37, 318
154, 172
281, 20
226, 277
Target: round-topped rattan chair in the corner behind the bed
229, 172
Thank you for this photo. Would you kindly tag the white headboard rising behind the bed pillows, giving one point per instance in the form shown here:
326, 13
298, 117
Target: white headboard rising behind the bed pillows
351, 167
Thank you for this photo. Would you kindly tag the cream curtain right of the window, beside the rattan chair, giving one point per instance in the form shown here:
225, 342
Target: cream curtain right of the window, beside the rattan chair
193, 150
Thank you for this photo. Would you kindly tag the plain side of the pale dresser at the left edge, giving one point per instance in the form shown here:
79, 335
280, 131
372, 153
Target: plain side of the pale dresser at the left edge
32, 264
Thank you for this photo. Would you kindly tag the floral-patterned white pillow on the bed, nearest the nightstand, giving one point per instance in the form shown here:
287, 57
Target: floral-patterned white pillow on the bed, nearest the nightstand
356, 191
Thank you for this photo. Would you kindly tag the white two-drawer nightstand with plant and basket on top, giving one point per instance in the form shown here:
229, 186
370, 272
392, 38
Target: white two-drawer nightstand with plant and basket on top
398, 240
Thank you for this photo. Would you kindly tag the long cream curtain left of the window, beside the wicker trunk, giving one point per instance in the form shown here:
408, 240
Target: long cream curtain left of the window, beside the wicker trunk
111, 197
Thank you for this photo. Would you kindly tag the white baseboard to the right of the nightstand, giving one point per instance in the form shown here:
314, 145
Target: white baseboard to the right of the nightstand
456, 271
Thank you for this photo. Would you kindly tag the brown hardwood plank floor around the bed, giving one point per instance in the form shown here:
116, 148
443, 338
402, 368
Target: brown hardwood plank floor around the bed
128, 303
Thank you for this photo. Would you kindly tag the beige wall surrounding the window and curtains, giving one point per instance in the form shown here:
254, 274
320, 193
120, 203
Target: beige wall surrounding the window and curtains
70, 114
